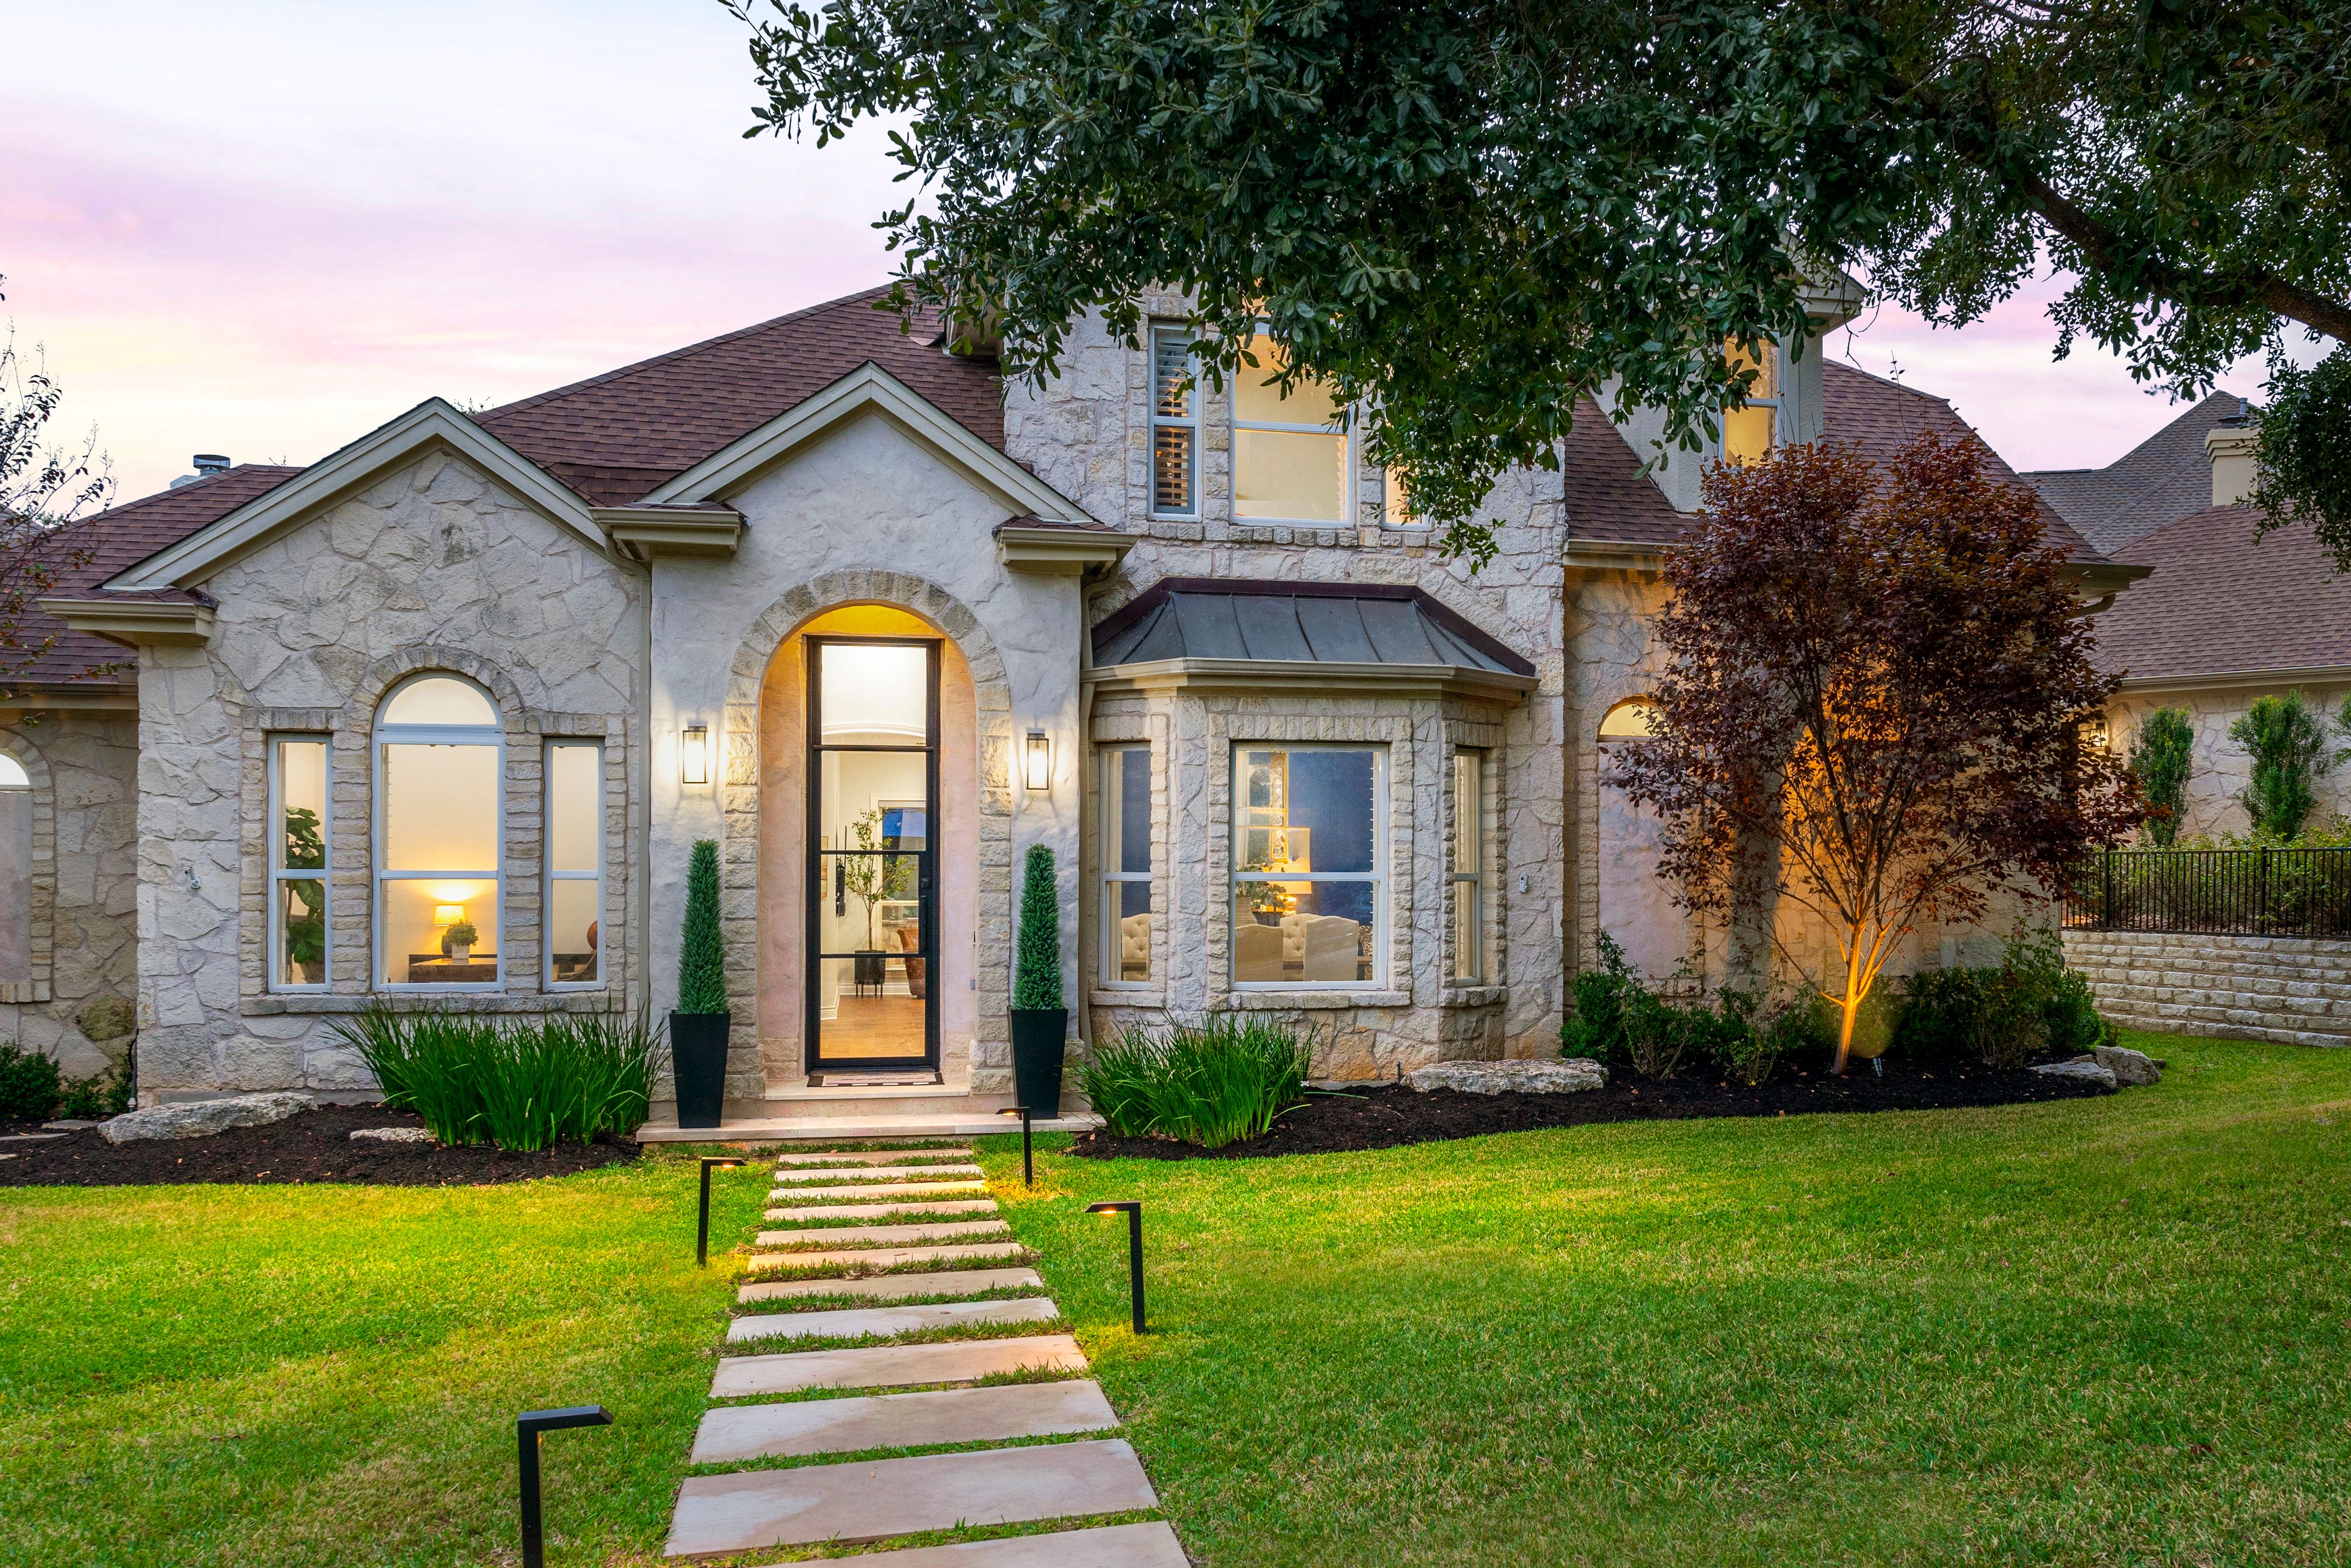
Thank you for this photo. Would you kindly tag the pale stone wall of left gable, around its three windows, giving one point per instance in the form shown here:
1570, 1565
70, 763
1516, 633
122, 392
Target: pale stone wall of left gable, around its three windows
431, 568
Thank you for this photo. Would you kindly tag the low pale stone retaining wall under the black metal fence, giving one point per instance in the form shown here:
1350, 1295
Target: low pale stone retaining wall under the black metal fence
2289, 991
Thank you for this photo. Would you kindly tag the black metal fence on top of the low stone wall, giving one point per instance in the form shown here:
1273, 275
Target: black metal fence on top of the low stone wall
2216, 892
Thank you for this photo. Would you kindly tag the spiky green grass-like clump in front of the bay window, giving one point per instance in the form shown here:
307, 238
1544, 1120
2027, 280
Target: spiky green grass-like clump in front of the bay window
1210, 1083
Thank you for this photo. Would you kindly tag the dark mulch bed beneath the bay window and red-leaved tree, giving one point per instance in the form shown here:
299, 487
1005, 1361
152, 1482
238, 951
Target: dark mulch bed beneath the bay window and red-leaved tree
1391, 1115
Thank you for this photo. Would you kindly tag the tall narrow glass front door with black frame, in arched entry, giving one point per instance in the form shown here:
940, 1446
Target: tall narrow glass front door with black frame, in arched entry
873, 866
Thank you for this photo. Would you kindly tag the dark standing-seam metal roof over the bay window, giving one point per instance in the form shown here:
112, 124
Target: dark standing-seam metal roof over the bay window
1334, 624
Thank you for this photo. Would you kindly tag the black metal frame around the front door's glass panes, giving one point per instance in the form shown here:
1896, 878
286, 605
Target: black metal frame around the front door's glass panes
925, 866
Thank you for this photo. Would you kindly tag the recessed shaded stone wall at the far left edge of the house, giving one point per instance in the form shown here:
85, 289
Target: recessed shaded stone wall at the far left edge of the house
79, 887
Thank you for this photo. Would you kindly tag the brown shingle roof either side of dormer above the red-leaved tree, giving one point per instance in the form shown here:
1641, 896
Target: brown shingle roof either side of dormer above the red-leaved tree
1607, 500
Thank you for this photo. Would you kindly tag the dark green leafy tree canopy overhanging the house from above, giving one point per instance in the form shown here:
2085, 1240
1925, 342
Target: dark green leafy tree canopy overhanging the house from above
1473, 213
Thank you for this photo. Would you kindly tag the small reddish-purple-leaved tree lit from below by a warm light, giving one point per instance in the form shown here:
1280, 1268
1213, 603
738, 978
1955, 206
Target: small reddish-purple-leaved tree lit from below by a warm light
1873, 706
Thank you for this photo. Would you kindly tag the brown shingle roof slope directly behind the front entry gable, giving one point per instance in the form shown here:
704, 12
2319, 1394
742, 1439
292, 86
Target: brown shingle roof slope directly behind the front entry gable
619, 436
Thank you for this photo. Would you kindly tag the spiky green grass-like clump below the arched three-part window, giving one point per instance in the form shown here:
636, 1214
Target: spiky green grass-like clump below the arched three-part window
523, 1085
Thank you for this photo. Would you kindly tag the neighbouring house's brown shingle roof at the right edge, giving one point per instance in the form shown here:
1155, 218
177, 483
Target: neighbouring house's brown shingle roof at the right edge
2225, 603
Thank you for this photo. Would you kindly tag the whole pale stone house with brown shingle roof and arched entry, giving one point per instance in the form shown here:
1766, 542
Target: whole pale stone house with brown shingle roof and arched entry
438, 721
